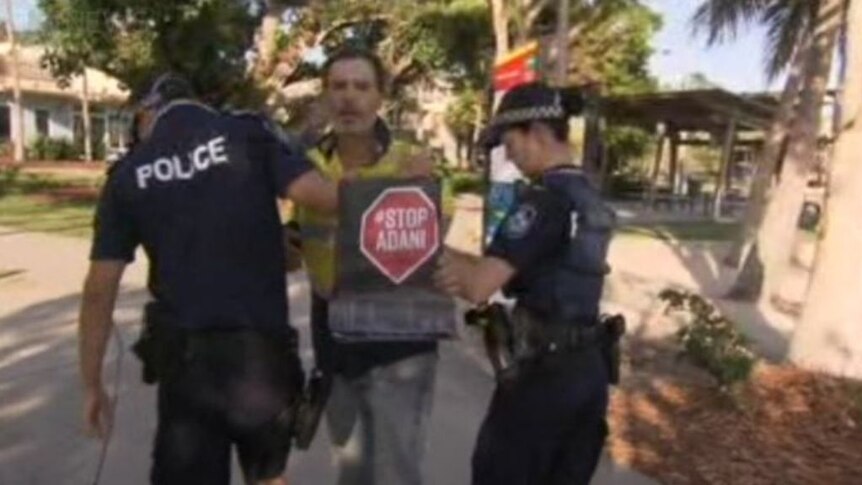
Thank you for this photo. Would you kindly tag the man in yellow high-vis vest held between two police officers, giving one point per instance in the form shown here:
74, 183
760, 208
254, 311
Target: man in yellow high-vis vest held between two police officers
381, 391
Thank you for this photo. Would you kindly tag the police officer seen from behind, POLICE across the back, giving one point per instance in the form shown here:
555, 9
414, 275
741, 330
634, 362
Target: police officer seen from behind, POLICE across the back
198, 192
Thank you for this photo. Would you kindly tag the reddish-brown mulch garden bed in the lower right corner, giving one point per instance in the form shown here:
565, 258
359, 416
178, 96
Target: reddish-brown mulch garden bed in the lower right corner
784, 426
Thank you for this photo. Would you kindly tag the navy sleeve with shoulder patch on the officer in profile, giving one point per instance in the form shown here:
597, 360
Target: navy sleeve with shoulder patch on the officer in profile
536, 228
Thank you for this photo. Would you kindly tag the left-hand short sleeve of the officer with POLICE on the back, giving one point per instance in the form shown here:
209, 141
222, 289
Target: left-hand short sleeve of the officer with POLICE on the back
115, 236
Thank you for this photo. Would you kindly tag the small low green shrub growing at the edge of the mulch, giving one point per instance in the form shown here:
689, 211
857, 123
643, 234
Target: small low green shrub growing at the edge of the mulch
709, 339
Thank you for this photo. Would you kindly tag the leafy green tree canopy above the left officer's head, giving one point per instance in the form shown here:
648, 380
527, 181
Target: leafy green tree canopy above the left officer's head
206, 40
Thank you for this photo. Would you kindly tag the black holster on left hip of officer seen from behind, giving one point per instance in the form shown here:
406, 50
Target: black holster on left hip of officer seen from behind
160, 346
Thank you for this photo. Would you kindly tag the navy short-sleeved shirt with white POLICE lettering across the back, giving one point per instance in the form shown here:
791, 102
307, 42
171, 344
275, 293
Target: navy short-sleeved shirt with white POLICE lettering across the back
200, 197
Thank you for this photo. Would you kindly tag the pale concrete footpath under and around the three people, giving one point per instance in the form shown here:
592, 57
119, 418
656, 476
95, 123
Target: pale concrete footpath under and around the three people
40, 398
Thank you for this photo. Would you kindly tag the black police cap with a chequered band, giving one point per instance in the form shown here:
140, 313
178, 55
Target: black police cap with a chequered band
531, 102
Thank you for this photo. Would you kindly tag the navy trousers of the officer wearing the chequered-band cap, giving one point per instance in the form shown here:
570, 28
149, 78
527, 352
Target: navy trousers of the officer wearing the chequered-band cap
548, 426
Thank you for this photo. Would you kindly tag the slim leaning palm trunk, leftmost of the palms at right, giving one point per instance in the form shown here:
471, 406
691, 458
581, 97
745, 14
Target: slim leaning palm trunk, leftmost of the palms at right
766, 166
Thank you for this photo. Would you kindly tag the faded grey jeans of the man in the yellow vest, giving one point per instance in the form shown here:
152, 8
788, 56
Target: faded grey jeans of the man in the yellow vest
378, 422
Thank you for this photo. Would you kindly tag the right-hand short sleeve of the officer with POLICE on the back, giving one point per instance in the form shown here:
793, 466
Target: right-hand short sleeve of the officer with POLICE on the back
286, 158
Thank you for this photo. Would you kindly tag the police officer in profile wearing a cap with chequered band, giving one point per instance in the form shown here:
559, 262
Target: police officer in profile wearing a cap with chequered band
546, 422
